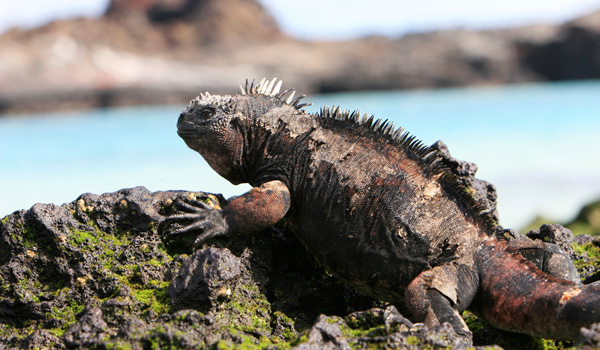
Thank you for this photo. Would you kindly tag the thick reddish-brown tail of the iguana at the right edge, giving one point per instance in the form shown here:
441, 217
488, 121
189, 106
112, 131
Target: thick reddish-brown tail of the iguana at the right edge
516, 296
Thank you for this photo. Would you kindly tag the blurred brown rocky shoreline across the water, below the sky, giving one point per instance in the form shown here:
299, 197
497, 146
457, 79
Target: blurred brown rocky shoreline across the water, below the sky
165, 51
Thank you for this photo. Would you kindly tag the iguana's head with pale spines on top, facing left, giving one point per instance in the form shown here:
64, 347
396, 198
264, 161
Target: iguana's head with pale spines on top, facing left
212, 125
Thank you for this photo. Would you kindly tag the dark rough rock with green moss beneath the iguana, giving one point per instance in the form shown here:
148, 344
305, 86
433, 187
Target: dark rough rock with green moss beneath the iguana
95, 273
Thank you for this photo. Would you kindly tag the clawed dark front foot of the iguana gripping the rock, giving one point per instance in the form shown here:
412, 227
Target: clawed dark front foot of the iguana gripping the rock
195, 216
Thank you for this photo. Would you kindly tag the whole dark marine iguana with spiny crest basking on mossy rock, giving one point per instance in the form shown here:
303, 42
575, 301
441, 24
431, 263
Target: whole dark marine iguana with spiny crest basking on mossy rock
375, 207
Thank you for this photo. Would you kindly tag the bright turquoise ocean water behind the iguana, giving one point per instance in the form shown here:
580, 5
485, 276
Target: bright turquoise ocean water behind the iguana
537, 143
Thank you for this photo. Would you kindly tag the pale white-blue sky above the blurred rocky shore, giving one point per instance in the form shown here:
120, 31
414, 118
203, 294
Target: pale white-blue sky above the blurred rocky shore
335, 19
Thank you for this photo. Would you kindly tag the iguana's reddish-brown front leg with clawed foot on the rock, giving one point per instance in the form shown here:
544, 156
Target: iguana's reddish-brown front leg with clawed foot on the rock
257, 209
